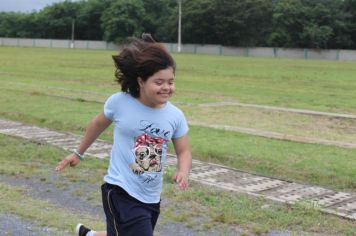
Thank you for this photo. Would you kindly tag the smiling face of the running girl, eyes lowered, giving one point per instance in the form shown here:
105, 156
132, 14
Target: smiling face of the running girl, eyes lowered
157, 89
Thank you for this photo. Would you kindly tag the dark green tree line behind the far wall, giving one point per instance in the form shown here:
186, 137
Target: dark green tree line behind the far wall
243, 23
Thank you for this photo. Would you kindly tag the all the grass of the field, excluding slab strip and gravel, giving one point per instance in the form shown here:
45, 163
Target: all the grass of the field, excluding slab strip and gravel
63, 89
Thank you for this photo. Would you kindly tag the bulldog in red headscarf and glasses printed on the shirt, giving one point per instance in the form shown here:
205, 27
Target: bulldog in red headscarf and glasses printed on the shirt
148, 154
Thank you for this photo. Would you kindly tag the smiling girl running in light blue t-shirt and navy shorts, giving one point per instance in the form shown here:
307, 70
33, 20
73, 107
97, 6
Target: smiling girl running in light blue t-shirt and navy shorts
145, 121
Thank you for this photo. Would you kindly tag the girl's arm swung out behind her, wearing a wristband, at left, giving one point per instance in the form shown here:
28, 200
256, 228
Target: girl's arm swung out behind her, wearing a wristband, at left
93, 130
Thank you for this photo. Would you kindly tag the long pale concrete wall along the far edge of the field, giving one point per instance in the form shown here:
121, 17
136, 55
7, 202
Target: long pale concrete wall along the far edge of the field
296, 53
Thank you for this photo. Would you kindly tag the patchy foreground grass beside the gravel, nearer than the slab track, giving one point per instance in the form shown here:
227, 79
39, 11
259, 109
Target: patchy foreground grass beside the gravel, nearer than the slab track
199, 207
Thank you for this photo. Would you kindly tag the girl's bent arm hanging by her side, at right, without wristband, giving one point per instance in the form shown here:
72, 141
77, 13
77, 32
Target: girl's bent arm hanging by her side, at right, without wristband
184, 156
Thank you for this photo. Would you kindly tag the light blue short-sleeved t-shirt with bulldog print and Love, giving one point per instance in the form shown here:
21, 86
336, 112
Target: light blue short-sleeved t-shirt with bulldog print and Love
141, 137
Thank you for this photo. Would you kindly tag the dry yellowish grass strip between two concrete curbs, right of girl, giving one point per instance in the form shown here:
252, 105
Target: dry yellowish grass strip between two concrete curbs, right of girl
318, 127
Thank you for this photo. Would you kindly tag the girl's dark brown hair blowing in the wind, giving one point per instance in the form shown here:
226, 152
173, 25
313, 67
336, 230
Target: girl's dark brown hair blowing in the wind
140, 59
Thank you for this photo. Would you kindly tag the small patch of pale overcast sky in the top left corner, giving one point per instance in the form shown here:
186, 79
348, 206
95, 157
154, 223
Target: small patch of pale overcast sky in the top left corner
25, 5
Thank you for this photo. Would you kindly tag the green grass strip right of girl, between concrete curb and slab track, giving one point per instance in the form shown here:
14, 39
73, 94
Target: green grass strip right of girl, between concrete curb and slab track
316, 164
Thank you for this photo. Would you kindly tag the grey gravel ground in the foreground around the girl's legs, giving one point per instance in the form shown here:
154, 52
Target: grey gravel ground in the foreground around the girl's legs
65, 198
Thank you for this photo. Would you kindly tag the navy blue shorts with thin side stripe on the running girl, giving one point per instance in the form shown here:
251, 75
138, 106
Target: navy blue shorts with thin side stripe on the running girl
126, 215
